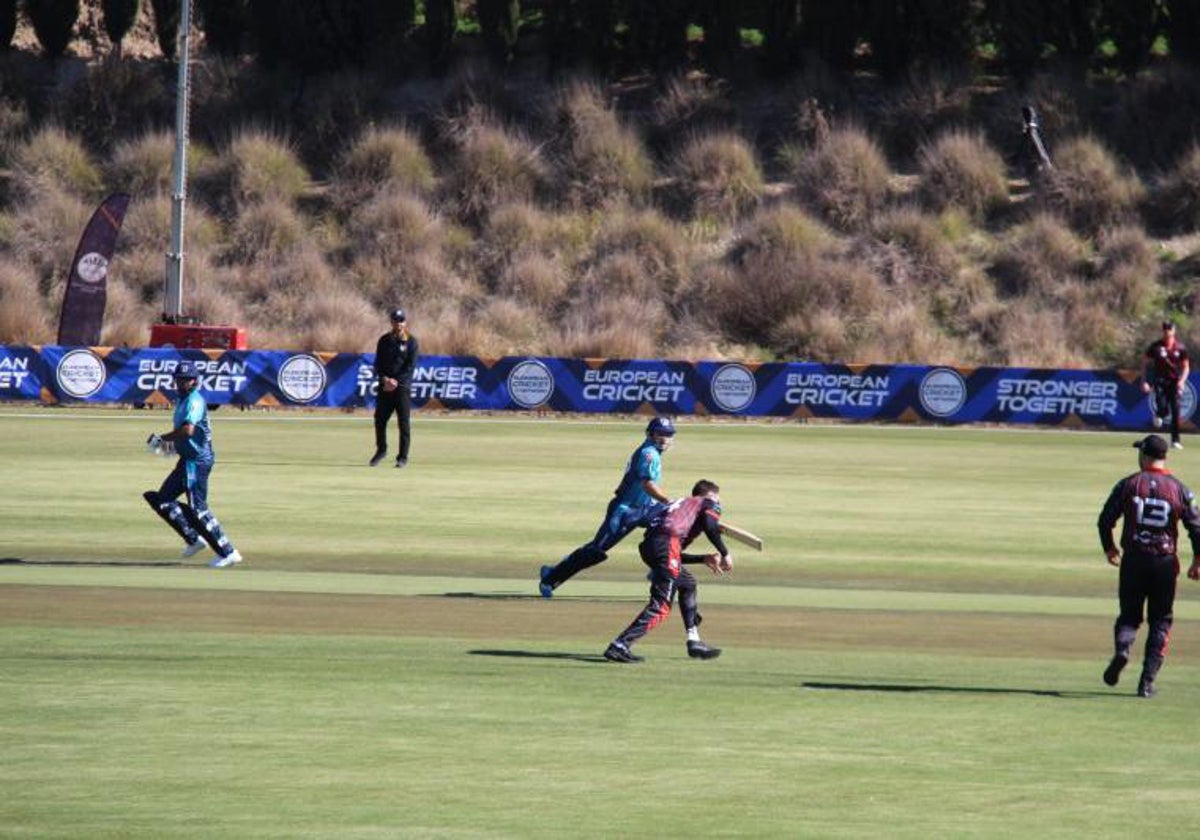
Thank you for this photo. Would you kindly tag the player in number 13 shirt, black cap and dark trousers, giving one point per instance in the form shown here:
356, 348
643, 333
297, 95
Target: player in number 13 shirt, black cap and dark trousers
1153, 503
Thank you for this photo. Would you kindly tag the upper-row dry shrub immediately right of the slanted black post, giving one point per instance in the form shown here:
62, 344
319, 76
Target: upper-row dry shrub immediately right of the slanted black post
1089, 188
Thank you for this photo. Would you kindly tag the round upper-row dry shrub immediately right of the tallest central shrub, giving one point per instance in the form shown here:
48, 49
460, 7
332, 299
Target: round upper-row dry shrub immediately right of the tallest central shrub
718, 177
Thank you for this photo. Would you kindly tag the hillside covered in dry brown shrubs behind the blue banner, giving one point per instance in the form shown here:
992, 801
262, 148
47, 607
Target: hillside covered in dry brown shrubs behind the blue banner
815, 218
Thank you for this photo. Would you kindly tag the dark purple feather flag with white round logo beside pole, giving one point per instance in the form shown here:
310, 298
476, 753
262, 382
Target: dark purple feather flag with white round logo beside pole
87, 293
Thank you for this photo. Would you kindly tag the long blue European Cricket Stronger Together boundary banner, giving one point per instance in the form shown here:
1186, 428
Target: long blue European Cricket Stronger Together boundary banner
857, 393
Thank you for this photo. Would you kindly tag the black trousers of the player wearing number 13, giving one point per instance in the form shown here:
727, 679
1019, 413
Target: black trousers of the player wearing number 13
1148, 583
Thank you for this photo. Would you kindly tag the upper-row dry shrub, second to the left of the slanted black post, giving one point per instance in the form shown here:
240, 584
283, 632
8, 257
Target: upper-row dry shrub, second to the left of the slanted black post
844, 177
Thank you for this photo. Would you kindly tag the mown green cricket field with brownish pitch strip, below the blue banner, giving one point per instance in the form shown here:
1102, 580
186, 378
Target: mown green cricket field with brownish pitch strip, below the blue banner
916, 655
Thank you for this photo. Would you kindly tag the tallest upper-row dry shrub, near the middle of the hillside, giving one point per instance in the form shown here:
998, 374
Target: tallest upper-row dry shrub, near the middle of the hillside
603, 161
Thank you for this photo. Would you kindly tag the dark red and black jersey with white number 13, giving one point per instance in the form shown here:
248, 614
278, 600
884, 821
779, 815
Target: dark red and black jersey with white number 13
1153, 503
